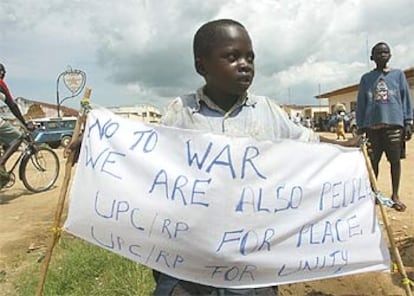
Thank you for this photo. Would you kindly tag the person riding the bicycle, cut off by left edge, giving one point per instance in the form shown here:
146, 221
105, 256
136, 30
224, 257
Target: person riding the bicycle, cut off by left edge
8, 133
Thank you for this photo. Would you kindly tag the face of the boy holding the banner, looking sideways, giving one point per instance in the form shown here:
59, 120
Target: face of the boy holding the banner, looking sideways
229, 69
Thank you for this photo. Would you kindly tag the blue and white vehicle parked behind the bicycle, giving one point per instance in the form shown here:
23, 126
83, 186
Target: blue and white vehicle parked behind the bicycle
55, 132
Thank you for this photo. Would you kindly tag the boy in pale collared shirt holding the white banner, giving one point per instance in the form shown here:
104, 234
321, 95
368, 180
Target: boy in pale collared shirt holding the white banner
224, 57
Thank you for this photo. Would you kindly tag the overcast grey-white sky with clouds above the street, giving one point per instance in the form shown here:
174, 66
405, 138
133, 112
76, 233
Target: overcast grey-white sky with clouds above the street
140, 51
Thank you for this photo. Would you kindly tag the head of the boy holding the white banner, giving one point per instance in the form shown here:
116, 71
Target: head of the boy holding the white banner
223, 55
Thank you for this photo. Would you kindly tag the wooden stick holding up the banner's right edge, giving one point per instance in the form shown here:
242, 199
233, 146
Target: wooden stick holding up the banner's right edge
394, 250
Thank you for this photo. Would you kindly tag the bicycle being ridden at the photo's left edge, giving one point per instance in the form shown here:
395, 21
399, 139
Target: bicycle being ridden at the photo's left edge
38, 164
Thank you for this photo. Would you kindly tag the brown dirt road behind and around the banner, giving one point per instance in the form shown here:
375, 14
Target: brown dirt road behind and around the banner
26, 219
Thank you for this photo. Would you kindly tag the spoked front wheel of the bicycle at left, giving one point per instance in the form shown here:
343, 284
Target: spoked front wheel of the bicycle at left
39, 170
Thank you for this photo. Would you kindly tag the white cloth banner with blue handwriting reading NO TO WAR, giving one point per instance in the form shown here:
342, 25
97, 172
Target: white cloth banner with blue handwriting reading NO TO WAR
224, 211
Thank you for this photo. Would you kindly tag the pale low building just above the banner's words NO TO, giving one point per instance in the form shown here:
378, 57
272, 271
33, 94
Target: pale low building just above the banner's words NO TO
142, 112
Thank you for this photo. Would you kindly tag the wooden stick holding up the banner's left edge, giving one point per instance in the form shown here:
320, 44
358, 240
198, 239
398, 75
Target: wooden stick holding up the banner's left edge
57, 229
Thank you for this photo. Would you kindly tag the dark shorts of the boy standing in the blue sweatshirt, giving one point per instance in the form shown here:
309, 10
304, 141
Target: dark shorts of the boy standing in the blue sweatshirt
389, 140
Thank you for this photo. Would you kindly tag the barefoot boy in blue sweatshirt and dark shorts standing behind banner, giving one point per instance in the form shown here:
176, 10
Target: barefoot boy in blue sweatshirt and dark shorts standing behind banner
385, 114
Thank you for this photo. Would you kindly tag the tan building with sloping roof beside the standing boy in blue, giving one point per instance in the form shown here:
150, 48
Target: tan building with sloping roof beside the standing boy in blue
348, 95
